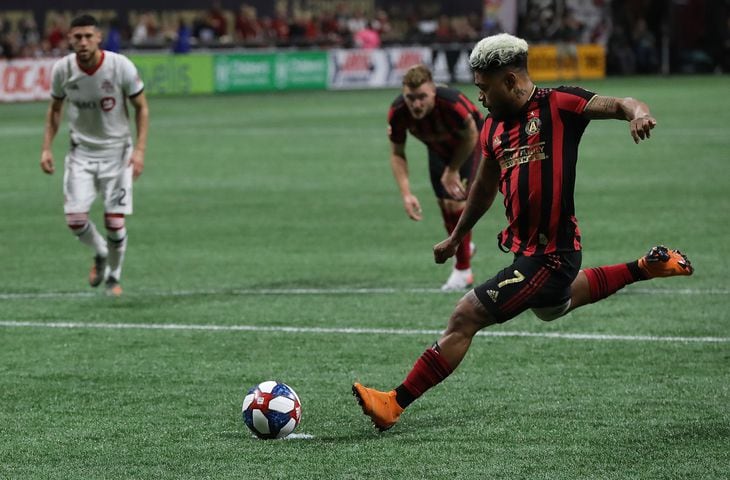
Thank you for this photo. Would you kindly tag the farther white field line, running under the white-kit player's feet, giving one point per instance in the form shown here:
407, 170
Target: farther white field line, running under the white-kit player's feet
320, 291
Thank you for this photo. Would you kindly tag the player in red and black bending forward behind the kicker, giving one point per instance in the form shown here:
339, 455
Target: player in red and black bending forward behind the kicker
448, 124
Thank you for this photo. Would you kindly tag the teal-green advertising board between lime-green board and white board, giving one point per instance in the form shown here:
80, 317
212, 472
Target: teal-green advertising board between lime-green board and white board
271, 71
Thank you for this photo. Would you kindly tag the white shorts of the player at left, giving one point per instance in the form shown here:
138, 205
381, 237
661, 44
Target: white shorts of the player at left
85, 176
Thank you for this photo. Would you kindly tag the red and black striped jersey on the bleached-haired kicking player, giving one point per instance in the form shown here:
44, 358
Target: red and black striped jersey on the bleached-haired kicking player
537, 151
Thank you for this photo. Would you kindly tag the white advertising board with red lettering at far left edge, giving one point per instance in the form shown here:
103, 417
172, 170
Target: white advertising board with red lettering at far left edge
23, 80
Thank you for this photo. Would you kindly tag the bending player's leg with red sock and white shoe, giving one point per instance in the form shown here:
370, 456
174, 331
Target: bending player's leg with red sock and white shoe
461, 276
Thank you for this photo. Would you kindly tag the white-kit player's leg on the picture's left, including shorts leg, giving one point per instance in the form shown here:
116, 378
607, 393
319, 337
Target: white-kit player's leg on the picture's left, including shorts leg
79, 191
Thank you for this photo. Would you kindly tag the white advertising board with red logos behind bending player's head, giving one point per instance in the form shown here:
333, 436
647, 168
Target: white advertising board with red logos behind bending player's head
373, 68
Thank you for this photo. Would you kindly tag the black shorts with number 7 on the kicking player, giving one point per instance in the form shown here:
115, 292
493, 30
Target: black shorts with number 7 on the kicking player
538, 281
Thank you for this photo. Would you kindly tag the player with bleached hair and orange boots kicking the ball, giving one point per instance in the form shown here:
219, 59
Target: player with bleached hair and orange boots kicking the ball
530, 145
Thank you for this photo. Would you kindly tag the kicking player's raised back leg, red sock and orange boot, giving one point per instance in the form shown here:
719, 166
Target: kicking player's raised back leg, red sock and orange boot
594, 284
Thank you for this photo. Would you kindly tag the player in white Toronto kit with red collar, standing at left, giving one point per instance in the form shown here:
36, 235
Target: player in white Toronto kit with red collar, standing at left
101, 159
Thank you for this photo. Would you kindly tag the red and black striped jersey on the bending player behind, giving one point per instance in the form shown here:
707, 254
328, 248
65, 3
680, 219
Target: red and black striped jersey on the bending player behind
438, 130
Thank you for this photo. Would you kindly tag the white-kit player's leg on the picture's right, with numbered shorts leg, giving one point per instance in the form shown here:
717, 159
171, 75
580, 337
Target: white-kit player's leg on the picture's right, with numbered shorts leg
116, 187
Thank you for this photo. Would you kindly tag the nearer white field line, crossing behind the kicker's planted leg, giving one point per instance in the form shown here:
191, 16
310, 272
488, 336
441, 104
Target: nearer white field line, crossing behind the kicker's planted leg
369, 331
